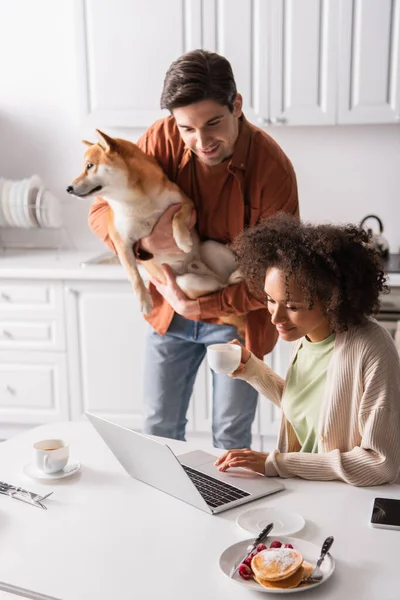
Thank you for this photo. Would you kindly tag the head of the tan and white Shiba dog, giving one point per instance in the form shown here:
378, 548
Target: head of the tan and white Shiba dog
104, 171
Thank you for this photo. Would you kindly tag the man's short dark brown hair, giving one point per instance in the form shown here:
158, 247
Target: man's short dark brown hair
199, 75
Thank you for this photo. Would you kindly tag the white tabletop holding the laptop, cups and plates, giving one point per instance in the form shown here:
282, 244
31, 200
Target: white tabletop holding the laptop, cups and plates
106, 536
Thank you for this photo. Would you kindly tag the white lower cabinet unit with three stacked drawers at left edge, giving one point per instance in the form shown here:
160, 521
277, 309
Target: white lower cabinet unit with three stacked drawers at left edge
33, 365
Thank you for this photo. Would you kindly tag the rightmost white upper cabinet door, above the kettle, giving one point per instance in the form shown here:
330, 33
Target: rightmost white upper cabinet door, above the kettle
369, 69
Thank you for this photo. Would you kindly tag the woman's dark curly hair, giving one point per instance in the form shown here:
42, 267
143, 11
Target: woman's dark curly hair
334, 264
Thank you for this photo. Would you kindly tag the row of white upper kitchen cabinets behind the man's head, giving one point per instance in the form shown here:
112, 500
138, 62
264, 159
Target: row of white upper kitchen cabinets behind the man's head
315, 62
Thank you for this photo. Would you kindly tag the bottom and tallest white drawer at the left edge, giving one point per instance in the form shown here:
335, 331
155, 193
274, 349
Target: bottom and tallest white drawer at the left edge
33, 385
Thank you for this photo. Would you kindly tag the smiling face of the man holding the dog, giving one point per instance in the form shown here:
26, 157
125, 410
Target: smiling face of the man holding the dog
209, 129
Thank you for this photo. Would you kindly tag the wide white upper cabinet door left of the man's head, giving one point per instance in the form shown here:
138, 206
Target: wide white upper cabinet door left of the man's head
125, 49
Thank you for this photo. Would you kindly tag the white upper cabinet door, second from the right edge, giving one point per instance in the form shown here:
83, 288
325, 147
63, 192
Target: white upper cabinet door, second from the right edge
303, 61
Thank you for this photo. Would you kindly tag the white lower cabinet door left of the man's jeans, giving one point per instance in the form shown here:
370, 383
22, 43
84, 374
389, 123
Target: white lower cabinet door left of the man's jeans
105, 336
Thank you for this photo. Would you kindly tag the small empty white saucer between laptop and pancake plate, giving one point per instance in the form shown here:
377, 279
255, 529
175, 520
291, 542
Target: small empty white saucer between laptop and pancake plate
285, 521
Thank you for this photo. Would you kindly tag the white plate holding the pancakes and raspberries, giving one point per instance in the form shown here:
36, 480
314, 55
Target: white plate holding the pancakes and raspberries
309, 551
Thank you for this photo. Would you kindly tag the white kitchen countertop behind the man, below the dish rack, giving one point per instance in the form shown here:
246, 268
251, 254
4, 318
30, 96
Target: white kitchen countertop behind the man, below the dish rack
62, 264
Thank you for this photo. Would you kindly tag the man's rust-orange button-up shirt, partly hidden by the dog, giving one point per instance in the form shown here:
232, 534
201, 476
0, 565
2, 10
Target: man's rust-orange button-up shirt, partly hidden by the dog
256, 181
